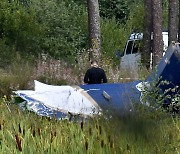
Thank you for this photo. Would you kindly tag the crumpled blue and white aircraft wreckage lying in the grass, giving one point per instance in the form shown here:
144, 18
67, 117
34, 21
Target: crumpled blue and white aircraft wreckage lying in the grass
90, 100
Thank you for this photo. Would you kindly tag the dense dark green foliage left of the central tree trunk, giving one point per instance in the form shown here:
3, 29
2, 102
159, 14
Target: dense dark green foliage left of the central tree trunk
56, 27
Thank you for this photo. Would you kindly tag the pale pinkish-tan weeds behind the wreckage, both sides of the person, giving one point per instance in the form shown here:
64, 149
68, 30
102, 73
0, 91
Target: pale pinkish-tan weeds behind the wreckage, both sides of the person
21, 73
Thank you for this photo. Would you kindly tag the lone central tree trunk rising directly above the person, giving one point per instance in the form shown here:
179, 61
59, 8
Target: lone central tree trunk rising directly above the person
94, 29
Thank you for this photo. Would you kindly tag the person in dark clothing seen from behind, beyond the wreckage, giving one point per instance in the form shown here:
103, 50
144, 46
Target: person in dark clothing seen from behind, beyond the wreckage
95, 75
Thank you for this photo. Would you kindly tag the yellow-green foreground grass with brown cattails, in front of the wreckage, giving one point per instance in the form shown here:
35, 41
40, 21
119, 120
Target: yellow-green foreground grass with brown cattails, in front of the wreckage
143, 132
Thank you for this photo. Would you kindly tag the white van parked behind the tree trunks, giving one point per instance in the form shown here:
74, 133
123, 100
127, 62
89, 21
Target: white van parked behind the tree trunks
131, 57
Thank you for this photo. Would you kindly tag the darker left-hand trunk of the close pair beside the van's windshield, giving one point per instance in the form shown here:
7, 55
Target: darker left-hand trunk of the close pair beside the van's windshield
147, 32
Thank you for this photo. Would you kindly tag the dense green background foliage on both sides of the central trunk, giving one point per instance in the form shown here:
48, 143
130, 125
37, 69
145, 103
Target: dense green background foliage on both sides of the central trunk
59, 28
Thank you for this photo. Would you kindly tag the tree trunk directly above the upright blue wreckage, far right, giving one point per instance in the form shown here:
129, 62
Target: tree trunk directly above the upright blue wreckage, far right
172, 23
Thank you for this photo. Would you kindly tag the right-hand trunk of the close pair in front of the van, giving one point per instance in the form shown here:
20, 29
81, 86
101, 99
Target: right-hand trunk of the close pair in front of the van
157, 32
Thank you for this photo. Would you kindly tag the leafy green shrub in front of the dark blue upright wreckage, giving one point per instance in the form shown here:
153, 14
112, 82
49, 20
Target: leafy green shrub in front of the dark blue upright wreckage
154, 96
